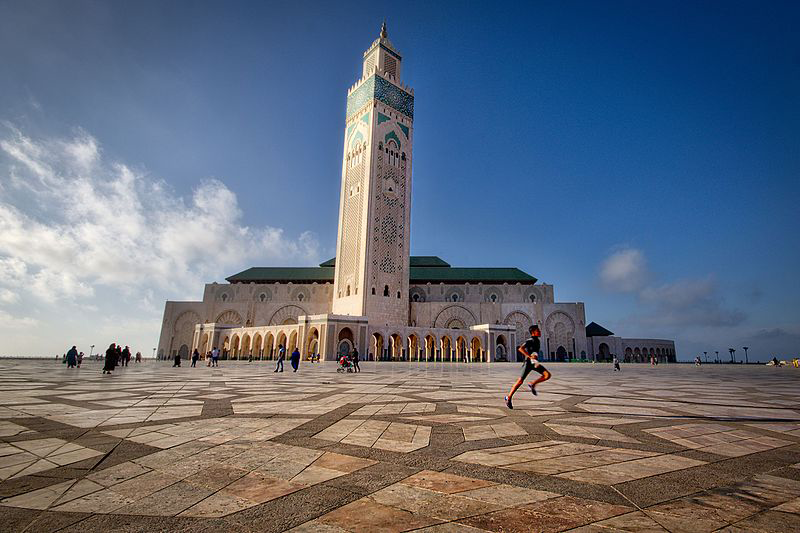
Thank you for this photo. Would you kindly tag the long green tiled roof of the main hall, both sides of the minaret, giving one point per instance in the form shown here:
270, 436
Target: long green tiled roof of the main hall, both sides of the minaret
424, 269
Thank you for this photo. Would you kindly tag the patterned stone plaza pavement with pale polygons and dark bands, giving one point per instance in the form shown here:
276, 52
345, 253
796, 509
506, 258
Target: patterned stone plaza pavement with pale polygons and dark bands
399, 447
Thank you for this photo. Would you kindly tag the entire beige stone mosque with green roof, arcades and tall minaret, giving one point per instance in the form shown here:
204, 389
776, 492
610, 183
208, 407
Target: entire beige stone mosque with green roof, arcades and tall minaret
374, 296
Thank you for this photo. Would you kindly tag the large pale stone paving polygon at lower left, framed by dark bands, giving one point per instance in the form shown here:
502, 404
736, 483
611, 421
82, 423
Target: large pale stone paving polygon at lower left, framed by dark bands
224, 479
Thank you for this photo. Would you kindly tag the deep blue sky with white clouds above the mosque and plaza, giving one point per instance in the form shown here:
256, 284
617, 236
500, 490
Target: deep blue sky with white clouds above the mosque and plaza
643, 157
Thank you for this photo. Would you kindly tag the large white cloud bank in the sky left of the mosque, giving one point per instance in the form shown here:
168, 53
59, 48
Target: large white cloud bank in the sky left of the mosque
73, 222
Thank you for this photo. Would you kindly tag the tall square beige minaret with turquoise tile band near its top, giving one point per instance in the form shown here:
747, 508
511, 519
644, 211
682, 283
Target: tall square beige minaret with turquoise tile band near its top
375, 206
